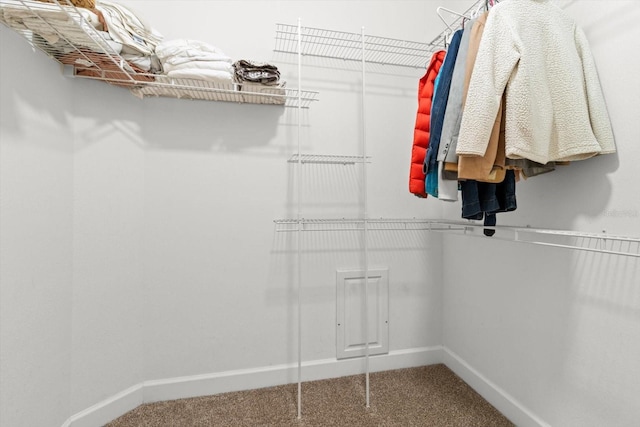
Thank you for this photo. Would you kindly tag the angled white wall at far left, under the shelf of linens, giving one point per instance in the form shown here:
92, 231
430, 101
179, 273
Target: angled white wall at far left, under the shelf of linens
71, 218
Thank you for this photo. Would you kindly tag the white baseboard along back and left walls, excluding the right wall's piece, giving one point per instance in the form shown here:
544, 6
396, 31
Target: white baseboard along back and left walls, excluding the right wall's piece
246, 379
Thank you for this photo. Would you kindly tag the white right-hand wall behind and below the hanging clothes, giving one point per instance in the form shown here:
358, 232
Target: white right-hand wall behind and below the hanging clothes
559, 330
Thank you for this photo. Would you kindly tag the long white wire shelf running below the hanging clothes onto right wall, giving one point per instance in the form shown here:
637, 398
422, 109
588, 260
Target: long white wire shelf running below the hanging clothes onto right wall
576, 240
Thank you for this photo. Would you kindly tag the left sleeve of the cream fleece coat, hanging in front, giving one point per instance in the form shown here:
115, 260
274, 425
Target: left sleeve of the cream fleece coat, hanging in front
497, 57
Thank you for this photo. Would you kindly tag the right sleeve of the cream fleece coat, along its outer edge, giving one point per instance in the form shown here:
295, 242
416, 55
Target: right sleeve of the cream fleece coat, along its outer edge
600, 124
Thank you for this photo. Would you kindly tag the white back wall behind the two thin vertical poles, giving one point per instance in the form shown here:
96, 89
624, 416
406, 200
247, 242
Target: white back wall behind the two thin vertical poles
220, 282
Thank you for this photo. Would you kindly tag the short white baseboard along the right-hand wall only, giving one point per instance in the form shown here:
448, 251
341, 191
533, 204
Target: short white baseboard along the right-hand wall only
499, 398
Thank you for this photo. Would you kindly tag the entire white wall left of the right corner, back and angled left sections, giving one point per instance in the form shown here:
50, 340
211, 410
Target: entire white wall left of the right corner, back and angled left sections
153, 252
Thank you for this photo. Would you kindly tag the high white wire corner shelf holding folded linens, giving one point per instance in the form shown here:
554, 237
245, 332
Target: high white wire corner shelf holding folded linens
64, 34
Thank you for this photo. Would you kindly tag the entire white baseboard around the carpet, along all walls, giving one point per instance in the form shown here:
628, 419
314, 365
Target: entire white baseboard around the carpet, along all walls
247, 379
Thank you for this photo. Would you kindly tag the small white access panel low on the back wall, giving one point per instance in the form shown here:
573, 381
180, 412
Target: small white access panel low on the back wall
350, 326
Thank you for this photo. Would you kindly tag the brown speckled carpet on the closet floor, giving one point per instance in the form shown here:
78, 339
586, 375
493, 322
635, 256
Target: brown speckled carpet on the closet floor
425, 396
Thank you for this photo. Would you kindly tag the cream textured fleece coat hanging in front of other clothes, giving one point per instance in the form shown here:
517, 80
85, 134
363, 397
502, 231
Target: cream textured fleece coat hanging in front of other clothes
555, 109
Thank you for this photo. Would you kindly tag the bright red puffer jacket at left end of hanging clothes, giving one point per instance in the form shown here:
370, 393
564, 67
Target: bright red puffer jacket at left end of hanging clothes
421, 132
